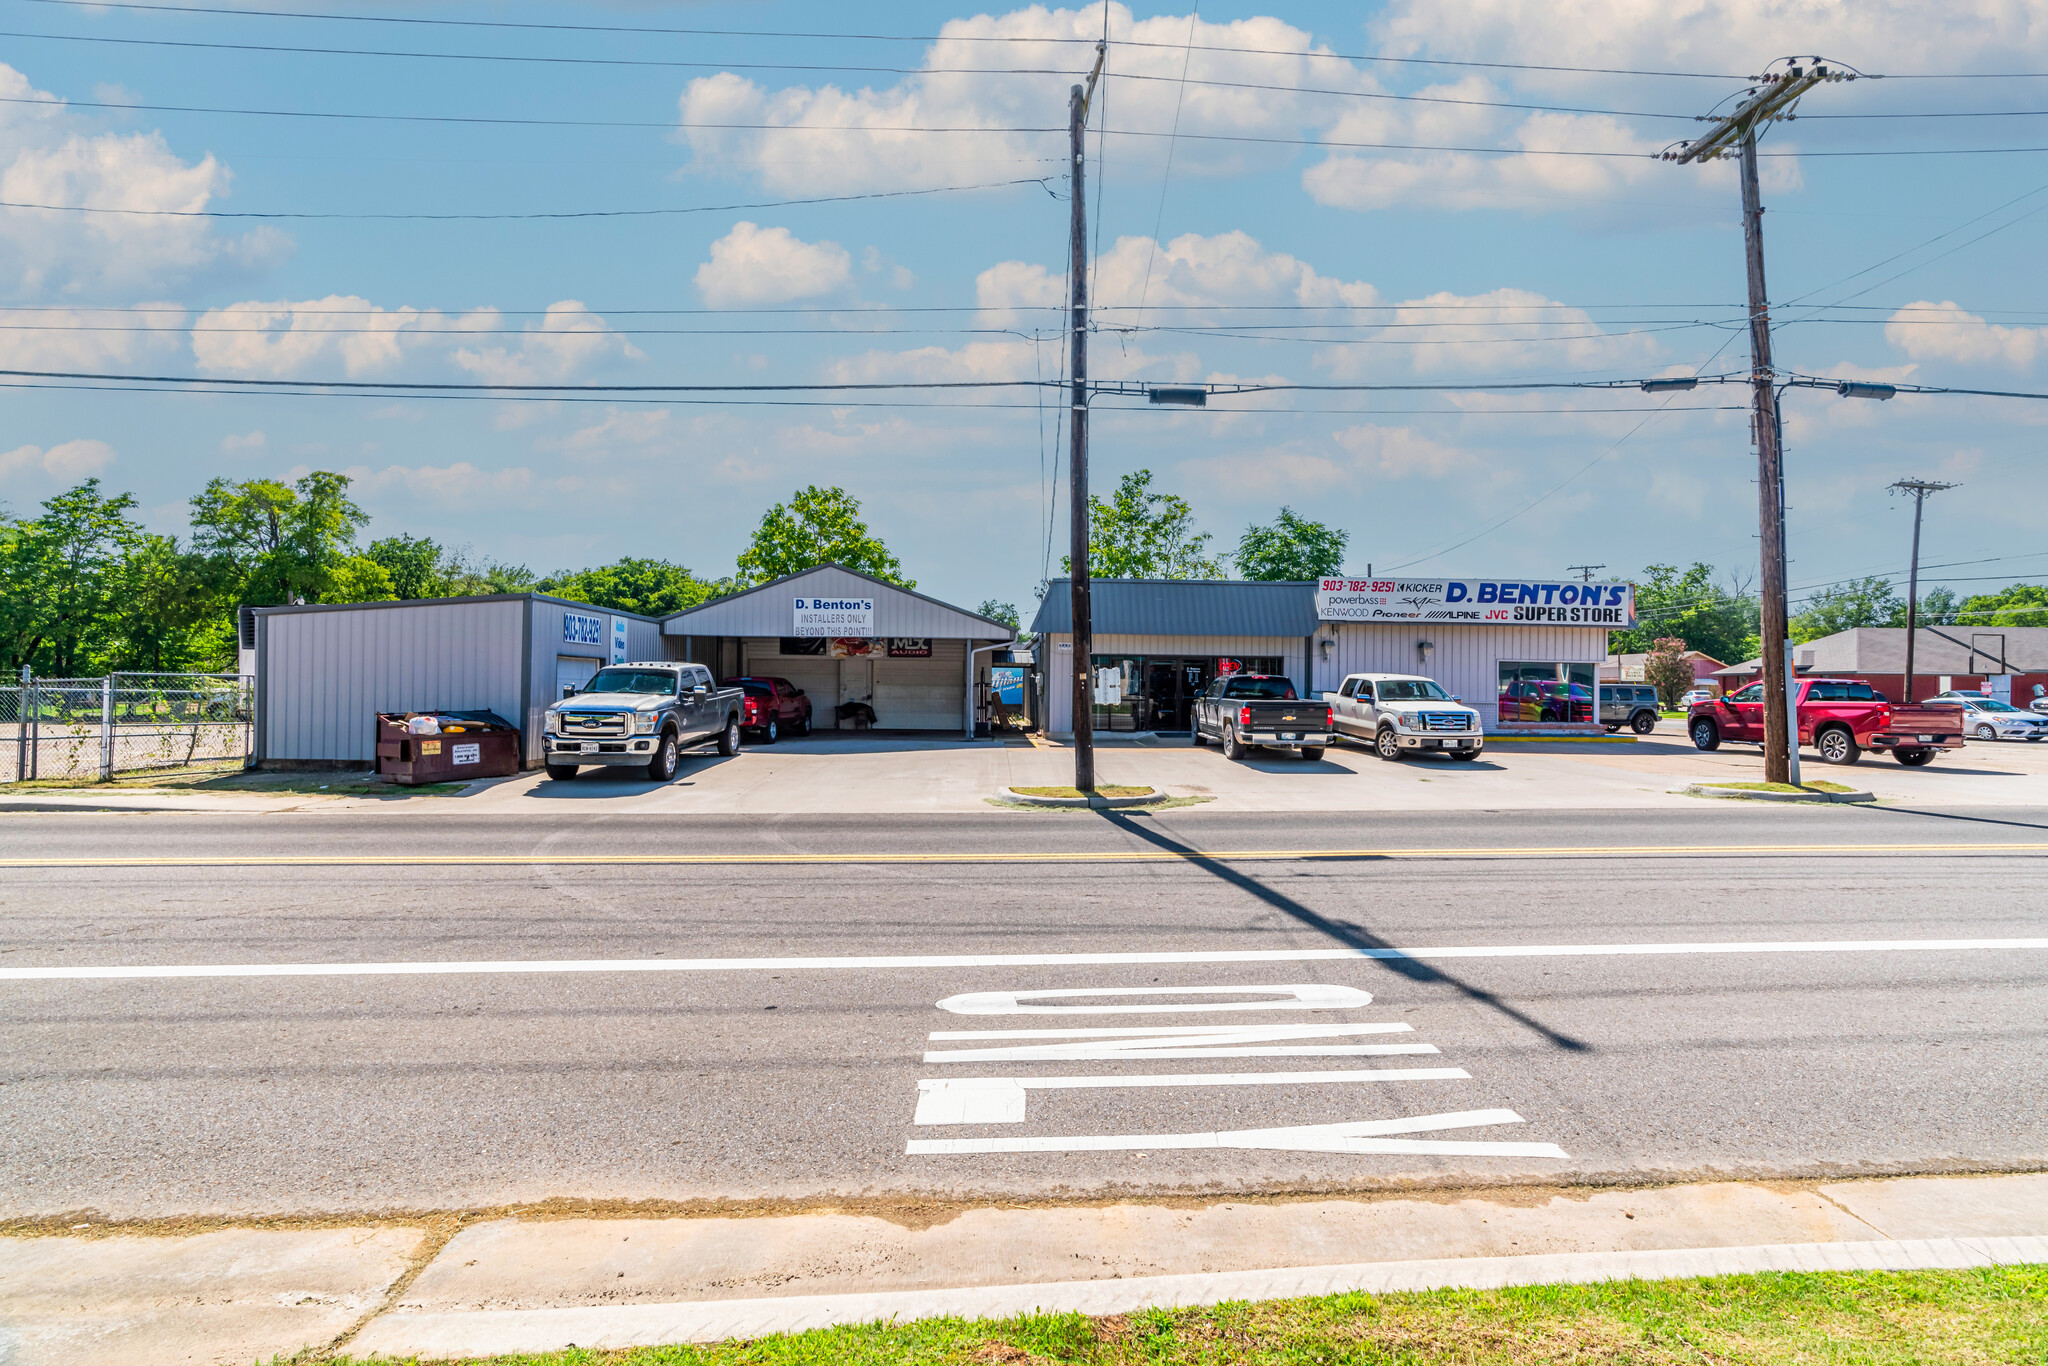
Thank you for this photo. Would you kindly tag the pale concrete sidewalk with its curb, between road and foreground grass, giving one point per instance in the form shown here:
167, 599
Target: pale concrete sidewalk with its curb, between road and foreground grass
454, 1287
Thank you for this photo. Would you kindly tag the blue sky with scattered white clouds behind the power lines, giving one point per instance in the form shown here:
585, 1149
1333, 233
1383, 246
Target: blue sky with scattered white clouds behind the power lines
1279, 259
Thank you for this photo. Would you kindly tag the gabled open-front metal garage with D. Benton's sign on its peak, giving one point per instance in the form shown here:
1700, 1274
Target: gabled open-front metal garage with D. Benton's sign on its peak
851, 638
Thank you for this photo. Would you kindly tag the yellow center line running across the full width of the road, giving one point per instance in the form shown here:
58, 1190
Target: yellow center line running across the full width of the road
1076, 857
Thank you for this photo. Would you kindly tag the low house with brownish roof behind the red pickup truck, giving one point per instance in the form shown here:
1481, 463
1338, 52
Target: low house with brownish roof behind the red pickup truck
1945, 658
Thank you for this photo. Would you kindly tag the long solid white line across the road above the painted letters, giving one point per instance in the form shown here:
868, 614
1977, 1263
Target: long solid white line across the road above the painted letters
972, 962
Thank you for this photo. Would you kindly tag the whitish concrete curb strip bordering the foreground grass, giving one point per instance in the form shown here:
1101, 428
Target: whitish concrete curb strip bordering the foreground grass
493, 1332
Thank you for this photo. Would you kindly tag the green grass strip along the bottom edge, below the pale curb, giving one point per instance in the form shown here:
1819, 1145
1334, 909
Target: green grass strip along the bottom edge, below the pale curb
1983, 1318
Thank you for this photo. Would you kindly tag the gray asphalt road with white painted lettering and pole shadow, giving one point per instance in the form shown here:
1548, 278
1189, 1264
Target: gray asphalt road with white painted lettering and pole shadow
730, 1072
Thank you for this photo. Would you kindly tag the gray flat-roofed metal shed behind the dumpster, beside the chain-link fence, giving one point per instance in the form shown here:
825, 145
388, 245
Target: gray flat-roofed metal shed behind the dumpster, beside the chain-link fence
327, 671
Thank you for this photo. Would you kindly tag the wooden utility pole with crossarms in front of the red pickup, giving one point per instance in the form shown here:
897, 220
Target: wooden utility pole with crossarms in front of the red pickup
1770, 99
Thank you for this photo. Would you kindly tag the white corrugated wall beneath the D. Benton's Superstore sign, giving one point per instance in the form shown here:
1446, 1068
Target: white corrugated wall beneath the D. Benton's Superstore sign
1461, 658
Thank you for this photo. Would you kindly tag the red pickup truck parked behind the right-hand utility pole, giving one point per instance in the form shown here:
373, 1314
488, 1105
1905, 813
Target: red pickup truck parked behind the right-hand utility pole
1836, 716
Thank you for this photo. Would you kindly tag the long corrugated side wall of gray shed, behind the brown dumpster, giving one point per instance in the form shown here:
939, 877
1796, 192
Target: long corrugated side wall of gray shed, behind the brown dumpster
329, 675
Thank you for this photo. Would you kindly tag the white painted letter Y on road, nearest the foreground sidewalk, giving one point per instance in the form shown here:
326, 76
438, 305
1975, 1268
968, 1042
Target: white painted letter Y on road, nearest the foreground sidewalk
1357, 1138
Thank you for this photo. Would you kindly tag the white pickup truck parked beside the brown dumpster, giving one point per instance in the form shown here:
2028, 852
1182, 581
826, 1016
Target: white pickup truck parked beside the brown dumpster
640, 716
